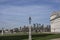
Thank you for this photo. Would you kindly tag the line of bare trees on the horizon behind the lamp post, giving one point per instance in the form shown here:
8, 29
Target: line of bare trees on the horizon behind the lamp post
34, 28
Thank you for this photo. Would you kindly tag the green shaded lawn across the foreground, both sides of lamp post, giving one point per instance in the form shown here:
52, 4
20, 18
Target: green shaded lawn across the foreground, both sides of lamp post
36, 36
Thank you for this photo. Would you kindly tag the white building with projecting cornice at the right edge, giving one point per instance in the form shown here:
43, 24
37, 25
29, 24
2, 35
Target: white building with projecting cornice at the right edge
55, 22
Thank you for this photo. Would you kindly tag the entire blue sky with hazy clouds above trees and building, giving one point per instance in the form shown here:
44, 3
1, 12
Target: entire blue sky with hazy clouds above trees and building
15, 13
